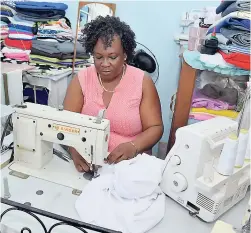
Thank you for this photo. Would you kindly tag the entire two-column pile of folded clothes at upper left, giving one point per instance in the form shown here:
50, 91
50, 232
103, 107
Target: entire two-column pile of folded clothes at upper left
39, 34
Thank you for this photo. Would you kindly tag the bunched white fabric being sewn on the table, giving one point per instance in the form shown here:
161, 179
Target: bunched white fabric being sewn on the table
126, 197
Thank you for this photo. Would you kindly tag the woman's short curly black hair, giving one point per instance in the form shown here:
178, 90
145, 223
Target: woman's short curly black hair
105, 28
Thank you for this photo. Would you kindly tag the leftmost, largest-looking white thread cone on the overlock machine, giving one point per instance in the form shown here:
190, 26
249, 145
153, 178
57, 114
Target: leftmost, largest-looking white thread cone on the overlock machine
228, 156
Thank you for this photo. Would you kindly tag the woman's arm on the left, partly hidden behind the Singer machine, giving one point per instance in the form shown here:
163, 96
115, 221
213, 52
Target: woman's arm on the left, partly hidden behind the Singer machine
74, 101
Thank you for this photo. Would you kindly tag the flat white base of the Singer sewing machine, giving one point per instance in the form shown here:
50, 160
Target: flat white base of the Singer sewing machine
56, 171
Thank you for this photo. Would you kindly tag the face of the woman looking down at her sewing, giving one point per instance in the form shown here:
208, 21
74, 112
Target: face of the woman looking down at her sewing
109, 61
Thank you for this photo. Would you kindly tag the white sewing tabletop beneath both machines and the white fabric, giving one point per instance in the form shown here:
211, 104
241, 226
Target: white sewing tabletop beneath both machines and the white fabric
59, 199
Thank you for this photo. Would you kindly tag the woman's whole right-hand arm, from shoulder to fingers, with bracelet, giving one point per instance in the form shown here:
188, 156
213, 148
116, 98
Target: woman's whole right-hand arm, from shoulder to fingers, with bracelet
150, 113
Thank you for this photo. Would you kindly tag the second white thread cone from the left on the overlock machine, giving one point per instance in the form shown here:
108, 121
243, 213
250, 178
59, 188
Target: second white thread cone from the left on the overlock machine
241, 150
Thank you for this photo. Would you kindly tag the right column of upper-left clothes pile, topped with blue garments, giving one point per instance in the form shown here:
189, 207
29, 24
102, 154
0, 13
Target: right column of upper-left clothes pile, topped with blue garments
53, 47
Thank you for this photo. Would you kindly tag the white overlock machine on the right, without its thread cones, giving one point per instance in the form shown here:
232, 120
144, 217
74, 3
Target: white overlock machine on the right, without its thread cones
190, 177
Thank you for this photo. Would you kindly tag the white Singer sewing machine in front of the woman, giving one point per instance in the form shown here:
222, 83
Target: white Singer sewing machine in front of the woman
37, 127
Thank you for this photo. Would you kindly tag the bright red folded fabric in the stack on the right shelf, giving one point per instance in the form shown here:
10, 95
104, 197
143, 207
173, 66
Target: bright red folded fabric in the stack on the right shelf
237, 59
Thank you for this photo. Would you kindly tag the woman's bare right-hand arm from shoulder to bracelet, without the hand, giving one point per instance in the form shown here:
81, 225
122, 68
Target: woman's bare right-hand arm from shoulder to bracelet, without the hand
151, 118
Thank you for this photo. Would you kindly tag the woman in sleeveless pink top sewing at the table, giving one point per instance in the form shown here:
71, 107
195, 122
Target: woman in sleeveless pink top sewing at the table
128, 95
